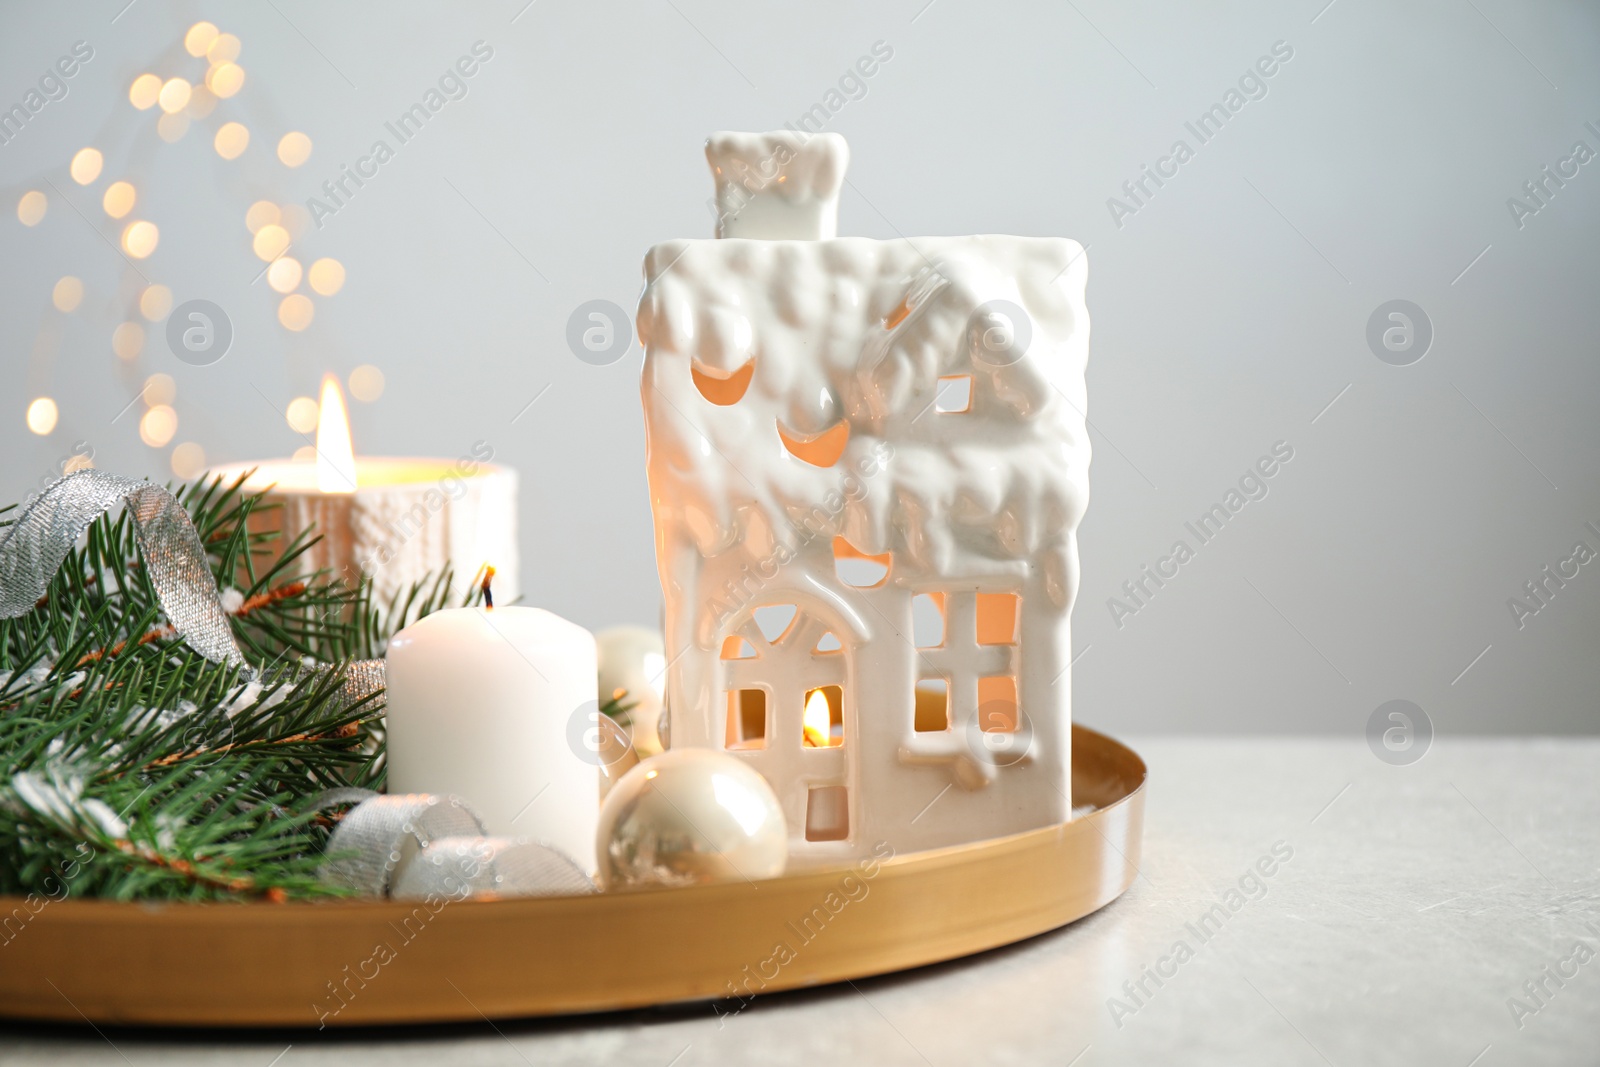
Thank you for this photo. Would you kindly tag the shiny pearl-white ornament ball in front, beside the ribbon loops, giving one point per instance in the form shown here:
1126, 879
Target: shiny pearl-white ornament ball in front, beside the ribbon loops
690, 817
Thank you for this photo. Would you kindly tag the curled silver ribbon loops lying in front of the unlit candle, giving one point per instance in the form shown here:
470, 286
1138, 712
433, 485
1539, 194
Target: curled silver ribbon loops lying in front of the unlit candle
418, 845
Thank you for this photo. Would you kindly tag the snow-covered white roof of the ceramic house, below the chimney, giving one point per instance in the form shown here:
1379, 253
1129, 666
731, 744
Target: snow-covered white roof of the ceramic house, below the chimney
862, 332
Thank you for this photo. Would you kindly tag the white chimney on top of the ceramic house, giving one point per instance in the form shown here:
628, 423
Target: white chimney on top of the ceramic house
778, 186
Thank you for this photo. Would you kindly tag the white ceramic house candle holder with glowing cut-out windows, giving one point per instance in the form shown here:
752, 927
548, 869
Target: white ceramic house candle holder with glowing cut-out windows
846, 434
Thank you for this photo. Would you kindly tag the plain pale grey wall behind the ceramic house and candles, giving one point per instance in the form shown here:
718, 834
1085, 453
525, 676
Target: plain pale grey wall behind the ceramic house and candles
1231, 303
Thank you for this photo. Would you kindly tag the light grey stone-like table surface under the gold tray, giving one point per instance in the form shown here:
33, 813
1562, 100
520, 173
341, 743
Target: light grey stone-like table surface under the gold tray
1417, 905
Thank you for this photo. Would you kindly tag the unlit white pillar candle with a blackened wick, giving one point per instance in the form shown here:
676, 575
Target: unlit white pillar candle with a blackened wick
481, 706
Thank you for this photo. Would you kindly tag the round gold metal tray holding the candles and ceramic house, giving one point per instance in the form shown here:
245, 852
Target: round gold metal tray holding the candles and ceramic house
366, 962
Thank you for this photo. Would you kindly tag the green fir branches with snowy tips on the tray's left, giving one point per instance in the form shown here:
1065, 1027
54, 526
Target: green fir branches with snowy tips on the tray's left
135, 769
